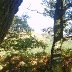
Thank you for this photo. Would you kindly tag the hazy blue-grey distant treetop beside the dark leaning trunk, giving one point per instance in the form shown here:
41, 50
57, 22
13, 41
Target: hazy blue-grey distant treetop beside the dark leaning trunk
20, 24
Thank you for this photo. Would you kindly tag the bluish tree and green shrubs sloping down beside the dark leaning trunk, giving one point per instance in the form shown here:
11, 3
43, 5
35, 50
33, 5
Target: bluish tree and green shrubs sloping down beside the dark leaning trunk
19, 36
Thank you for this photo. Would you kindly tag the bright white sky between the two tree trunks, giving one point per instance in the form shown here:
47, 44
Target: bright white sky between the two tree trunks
36, 21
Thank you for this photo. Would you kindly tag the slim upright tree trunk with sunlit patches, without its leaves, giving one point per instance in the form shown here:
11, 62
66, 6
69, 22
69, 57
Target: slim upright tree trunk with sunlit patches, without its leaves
56, 59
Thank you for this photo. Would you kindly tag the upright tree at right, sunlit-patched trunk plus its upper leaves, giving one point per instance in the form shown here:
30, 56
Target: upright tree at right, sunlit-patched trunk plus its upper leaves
57, 9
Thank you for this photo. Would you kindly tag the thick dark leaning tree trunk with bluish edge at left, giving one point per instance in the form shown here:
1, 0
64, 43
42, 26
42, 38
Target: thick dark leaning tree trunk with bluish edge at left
7, 10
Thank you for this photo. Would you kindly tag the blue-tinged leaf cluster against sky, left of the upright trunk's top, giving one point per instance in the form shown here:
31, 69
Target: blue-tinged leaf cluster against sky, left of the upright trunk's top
49, 7
